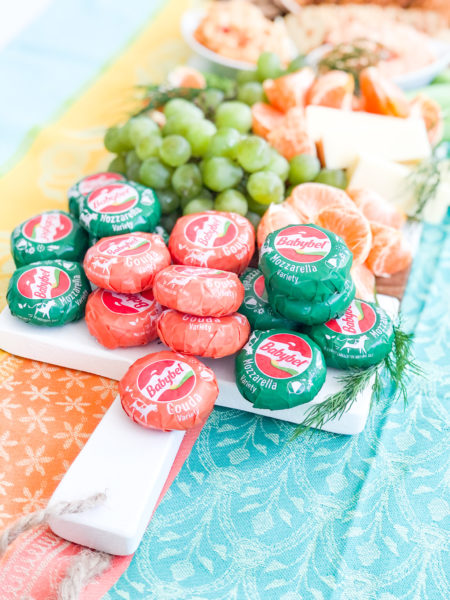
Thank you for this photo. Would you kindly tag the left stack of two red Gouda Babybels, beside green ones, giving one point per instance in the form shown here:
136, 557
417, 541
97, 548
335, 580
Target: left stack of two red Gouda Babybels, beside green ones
123, 311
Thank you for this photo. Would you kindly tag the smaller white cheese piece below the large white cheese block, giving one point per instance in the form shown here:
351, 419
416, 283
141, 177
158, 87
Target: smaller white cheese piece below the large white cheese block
387, 178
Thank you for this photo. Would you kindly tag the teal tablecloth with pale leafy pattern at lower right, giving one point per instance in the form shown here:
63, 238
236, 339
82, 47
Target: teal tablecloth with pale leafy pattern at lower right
253, 516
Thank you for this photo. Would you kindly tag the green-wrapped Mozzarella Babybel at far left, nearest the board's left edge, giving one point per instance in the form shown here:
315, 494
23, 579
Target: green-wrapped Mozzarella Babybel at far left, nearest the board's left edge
48, 292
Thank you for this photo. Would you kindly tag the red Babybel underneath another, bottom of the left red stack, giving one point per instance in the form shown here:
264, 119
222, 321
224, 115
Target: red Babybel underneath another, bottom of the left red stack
122, 320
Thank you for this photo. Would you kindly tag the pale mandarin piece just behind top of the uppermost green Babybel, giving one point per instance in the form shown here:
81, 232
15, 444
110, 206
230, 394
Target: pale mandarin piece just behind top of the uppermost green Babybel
308, 199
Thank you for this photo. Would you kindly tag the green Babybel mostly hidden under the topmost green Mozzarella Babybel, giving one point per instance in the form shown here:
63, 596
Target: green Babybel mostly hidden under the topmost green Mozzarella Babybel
313, 313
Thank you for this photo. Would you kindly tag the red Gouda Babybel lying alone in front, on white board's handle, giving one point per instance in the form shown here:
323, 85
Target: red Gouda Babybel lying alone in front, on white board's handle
167, 390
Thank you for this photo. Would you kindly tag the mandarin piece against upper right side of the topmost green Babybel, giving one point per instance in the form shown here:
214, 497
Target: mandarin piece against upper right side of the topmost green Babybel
352, 226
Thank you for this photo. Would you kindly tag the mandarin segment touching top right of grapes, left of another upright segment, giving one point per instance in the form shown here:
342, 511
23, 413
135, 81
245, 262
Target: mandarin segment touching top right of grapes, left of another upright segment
289, 90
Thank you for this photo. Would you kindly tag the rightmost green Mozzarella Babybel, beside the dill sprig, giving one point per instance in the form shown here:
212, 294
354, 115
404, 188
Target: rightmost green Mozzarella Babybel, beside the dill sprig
361, 337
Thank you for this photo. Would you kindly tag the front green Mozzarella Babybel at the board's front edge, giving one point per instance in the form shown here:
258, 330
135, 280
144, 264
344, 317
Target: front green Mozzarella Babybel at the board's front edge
279, 369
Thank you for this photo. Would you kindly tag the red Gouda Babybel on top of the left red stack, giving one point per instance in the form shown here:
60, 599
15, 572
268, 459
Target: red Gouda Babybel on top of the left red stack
126, 263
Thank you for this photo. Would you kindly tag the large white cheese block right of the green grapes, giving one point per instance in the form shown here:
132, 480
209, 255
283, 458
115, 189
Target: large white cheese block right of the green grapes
343, 135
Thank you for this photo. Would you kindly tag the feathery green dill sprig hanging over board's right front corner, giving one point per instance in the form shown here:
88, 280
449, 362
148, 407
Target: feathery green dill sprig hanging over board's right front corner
398, 366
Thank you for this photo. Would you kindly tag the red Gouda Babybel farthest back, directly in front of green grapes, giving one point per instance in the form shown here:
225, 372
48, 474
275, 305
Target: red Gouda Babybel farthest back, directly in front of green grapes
218, 240
